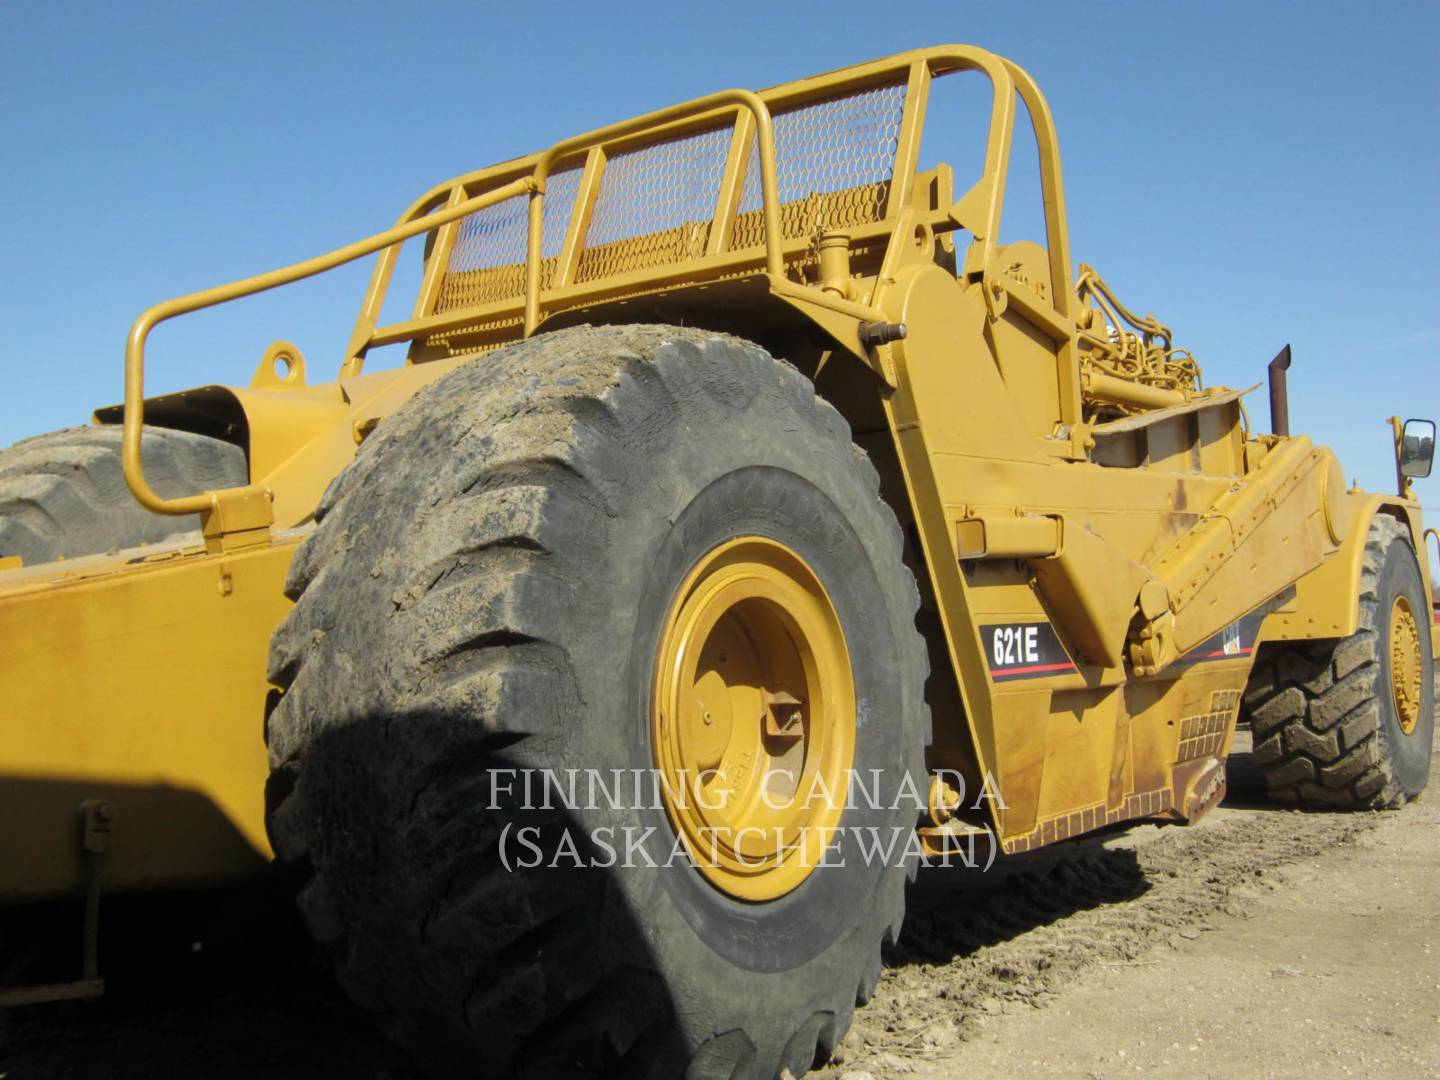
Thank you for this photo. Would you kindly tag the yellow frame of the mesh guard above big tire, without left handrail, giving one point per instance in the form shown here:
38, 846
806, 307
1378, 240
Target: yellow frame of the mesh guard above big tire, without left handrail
912, 71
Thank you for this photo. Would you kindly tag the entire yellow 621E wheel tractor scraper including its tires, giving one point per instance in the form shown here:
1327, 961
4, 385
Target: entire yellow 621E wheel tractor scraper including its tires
745, 525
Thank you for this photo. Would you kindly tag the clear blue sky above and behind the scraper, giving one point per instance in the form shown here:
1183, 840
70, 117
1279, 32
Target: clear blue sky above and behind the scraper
1251, 174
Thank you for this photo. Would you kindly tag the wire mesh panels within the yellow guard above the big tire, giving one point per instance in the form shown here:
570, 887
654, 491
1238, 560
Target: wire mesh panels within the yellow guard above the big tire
656, 204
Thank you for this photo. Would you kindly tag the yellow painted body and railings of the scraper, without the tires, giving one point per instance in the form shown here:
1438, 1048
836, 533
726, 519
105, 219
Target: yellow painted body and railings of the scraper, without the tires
1058, 457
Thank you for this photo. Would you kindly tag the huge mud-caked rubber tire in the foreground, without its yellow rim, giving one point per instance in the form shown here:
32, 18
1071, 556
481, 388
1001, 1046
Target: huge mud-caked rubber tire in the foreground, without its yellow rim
486, 594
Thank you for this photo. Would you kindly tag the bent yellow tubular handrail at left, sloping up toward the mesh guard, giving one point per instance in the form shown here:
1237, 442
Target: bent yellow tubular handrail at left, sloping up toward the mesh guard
247, 287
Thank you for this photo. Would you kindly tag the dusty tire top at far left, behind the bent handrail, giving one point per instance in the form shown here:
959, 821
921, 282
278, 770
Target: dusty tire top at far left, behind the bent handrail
63, 495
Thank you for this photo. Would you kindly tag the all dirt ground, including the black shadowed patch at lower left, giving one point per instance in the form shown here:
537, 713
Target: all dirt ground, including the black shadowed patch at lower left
1258, 944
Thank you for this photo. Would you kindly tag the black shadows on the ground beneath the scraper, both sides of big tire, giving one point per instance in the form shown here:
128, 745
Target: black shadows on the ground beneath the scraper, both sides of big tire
228, 984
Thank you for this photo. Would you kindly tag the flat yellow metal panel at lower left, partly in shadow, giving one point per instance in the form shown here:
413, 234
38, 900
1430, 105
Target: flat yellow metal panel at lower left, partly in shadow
142, 683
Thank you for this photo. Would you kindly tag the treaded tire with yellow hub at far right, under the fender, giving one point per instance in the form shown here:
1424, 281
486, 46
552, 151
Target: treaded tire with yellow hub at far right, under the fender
1351, 722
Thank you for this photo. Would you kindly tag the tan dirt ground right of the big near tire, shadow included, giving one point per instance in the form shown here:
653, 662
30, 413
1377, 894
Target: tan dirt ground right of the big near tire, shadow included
1259, 944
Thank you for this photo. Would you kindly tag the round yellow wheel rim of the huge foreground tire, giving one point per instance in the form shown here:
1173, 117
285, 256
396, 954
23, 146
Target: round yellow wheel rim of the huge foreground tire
754, 718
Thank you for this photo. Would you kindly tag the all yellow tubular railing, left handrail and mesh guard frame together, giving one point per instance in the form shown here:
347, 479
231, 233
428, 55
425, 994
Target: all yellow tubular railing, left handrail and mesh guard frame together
247, 509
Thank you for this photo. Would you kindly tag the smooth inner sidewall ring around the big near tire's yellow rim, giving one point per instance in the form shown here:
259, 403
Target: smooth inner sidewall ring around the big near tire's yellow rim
830, 905
